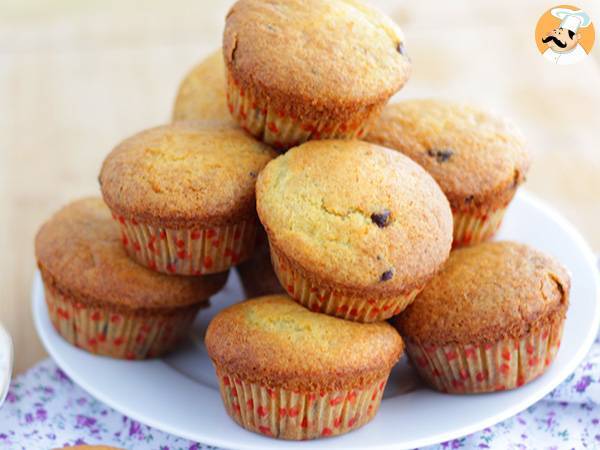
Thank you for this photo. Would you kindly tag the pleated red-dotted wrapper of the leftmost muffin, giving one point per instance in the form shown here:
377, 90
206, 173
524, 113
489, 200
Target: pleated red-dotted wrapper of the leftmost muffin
117, 334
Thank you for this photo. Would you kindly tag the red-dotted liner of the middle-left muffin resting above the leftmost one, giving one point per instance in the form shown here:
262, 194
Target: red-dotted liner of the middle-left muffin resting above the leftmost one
188, 252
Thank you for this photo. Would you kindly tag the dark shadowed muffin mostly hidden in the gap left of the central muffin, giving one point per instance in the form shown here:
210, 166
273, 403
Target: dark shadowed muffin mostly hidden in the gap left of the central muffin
256, 273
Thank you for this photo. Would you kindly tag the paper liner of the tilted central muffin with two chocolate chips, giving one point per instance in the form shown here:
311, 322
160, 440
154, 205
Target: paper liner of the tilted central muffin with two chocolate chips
323, 299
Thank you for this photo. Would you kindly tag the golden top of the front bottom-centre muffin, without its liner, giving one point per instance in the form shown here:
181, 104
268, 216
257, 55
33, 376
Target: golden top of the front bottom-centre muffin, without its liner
276, 342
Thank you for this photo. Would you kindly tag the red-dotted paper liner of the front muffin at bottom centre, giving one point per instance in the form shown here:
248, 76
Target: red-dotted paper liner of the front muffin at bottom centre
294, 415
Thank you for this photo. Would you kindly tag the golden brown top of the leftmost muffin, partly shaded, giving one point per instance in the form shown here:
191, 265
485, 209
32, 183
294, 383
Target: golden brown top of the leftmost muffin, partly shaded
80, 250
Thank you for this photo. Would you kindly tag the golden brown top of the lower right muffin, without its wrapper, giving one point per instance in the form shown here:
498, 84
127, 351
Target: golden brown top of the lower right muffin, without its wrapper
487, 292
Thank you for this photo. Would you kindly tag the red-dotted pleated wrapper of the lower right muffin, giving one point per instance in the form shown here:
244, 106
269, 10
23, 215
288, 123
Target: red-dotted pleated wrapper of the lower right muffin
507, 364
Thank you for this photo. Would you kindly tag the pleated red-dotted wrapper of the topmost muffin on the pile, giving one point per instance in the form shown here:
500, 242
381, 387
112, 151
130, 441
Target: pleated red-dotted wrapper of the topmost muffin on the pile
279, 129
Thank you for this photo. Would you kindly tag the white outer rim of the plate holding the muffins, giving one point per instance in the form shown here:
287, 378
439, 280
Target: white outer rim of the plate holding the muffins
508, 412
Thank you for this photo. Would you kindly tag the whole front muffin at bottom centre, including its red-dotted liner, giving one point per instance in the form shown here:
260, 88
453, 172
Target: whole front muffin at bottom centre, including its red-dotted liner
289, 373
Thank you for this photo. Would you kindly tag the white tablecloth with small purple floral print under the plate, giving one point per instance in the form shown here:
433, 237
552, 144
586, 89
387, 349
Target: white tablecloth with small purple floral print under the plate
45, 409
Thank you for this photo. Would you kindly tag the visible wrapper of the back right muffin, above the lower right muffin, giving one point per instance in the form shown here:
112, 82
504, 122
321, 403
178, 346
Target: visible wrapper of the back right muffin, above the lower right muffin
472, 228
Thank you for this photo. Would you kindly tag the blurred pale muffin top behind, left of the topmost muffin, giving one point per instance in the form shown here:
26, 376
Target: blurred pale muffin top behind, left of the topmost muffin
201, 94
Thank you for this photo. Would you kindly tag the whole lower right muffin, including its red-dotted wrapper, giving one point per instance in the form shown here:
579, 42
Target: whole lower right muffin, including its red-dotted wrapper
491, 320
